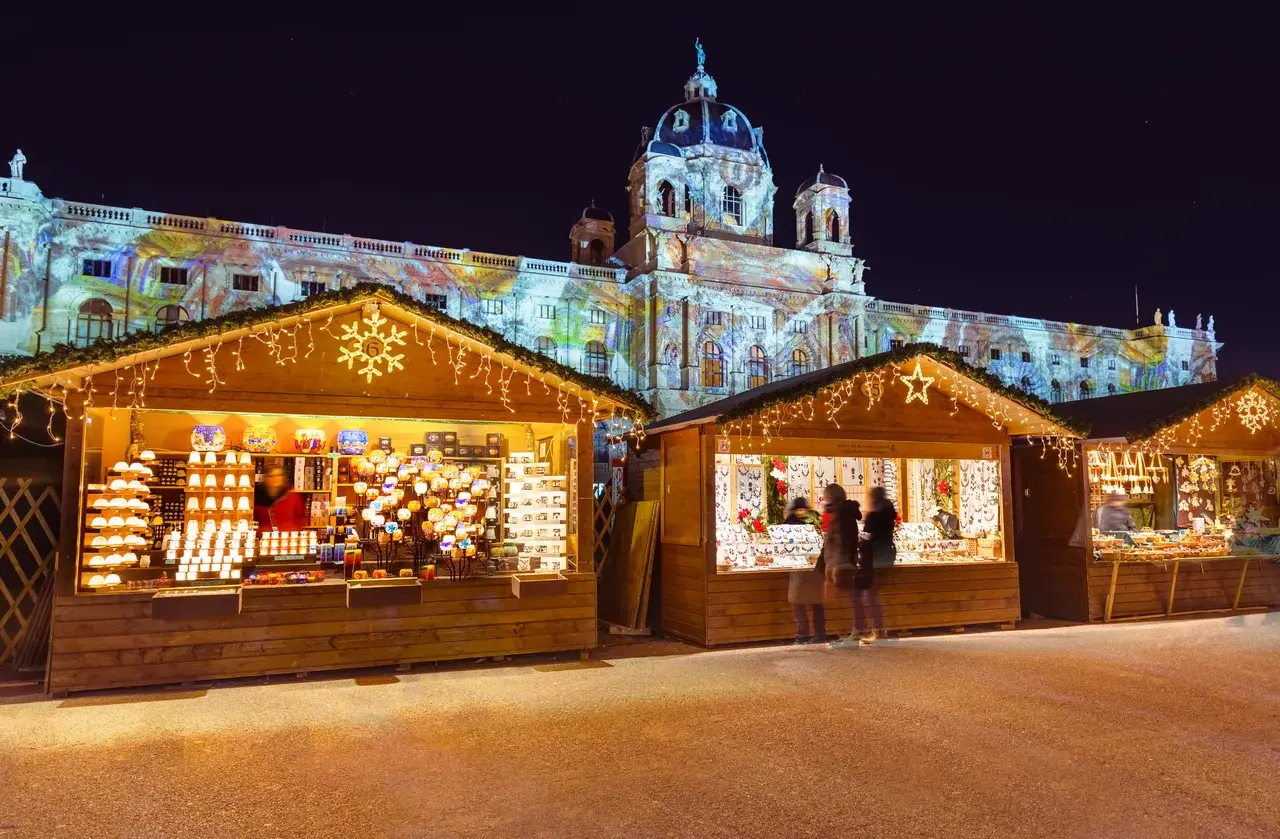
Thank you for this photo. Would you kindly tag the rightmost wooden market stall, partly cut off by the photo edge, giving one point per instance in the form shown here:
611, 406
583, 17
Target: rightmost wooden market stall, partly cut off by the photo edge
1176, 513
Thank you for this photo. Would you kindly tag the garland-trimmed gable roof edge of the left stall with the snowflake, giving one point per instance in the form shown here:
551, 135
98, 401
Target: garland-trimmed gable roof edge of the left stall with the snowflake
39, 371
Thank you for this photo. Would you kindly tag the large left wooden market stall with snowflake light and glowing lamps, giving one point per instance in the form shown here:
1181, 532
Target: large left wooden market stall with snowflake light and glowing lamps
354, 480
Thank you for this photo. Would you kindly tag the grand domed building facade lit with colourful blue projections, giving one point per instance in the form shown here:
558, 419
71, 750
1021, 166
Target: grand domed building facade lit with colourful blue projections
697, 304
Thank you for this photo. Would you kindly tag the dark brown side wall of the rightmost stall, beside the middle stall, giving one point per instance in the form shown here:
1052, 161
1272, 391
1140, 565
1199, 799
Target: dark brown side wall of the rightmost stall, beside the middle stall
1050, 512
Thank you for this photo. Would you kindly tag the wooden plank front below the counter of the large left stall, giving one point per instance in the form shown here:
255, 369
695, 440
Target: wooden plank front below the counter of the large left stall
112, 641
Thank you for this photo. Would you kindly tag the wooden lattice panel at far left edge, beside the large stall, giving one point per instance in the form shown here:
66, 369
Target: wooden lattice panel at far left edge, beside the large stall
30, 517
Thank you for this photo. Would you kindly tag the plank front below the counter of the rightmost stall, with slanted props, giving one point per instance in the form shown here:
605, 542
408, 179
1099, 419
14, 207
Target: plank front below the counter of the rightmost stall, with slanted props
1144, 590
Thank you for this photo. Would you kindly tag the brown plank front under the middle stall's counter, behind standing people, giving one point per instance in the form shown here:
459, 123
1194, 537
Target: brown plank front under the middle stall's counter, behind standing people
753, 607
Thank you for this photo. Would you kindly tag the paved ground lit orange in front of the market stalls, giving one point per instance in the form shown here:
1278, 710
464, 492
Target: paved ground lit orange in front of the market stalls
1132, 731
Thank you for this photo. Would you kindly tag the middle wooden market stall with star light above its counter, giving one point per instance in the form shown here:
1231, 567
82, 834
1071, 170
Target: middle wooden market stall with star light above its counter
920, 422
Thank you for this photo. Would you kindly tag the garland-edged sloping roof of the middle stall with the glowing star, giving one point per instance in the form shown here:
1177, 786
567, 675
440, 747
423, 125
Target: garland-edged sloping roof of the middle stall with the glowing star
781, 391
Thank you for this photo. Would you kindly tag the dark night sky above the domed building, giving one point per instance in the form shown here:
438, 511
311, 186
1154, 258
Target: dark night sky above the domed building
1040, 167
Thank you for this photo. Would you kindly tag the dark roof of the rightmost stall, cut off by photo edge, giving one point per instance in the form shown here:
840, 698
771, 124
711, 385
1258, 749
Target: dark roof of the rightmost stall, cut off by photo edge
1145, 413
